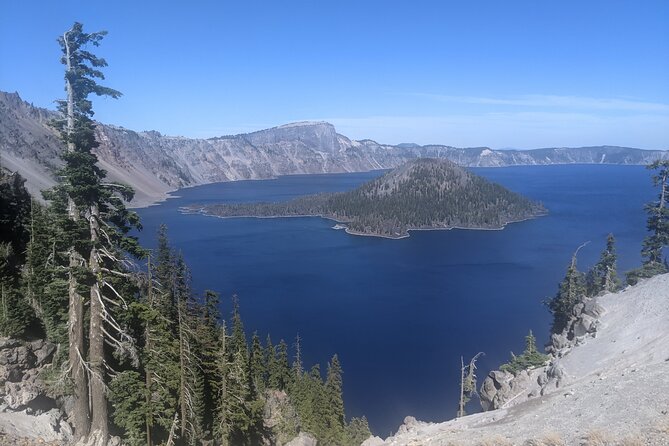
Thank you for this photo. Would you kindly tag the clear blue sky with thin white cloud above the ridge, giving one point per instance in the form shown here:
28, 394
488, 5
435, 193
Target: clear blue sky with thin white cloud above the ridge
466, 73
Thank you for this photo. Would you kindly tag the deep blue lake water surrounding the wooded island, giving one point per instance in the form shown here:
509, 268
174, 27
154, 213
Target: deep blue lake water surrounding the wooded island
401, 312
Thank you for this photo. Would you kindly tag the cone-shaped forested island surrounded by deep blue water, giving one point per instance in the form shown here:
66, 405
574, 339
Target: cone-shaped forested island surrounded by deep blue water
422, 194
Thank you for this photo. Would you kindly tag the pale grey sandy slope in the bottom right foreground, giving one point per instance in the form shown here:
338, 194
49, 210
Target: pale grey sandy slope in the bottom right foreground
612, 389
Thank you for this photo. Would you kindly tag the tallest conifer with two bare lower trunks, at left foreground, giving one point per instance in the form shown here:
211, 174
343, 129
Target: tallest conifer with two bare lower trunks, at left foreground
98, 227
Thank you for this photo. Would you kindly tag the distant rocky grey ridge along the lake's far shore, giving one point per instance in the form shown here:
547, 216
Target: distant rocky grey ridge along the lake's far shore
154, 164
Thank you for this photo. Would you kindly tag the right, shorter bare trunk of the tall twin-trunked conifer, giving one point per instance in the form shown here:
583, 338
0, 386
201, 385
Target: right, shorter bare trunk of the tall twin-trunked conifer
97, 337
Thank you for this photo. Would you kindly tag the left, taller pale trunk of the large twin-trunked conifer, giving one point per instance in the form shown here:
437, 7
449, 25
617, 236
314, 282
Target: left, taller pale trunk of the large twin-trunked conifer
81, 412
